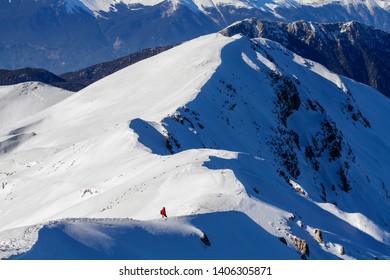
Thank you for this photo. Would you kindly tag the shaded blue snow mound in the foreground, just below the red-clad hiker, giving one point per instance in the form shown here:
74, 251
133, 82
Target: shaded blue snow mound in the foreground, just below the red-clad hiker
129, 239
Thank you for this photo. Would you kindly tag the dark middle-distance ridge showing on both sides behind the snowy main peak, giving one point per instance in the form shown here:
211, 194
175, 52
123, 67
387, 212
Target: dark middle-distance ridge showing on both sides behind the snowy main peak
351, 49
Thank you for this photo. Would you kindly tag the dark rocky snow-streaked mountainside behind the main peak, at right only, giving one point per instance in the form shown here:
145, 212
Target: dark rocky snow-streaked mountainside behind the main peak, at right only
351, 49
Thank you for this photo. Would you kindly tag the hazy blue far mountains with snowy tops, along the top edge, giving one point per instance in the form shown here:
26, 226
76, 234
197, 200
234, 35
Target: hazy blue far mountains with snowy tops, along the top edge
67, 35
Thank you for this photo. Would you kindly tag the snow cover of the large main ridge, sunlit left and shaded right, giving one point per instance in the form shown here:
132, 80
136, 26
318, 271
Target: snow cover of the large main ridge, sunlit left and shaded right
191, 129
